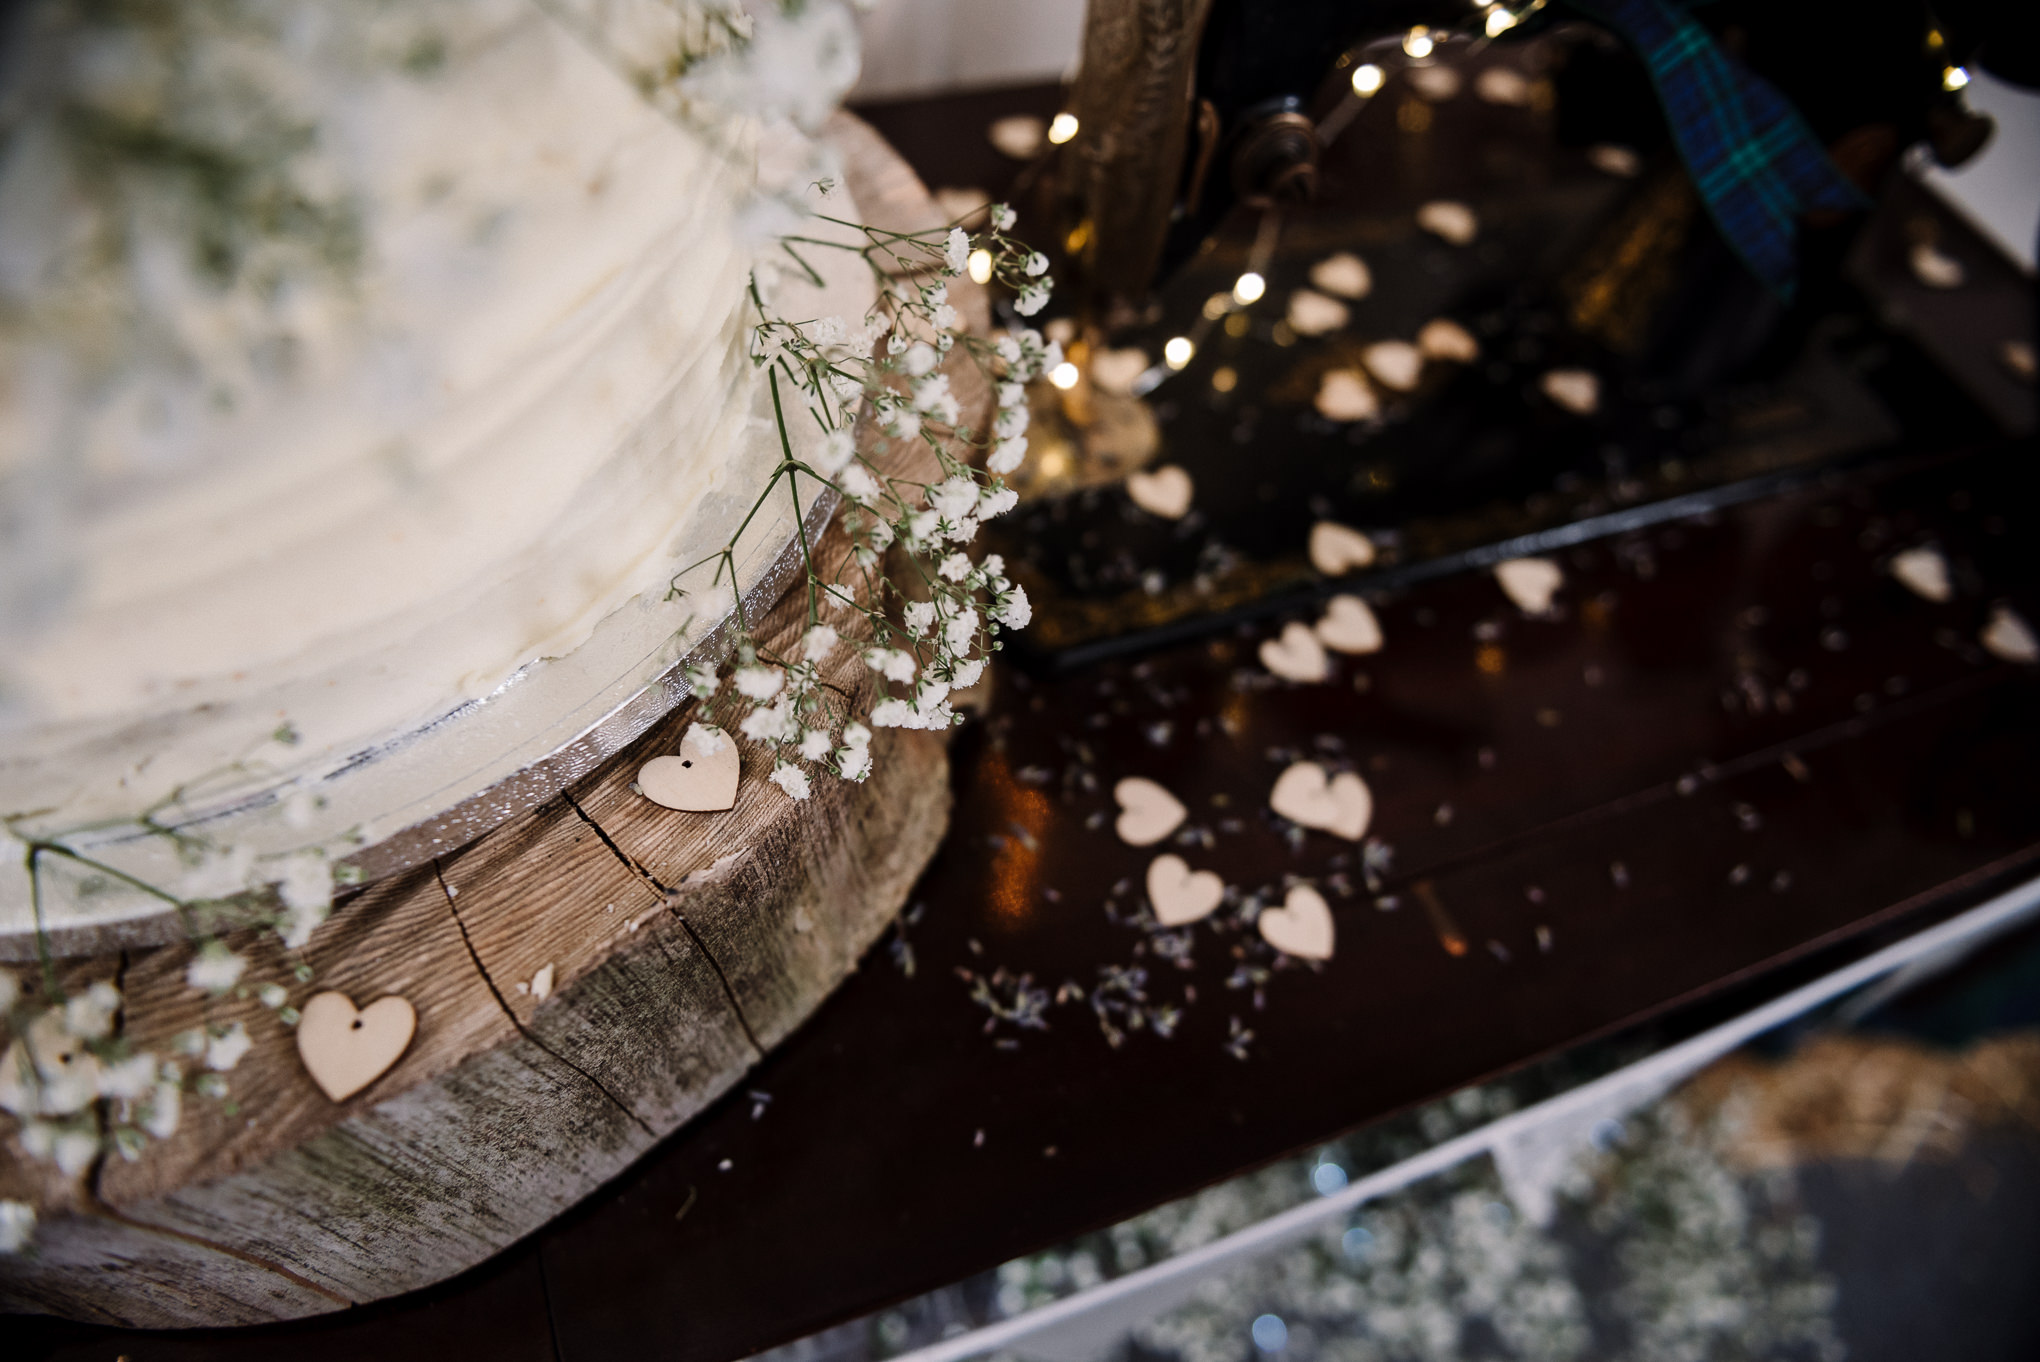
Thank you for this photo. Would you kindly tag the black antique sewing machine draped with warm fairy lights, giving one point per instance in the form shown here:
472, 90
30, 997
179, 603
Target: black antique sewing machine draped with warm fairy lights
1223, 150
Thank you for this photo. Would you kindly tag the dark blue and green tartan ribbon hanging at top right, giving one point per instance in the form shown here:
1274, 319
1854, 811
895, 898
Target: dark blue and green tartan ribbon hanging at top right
1753, 160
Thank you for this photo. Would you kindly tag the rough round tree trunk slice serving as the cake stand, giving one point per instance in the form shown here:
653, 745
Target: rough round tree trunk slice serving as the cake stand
682, 949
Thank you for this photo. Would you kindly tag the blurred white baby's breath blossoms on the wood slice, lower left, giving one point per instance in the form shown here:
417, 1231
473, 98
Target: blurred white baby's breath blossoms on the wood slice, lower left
81, 1090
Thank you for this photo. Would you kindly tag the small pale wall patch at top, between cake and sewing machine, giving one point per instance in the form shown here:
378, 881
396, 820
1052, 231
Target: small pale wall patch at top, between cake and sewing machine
929, 46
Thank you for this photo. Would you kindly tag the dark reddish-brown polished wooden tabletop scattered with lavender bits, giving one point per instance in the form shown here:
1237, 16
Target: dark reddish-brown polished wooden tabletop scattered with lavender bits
1739, 749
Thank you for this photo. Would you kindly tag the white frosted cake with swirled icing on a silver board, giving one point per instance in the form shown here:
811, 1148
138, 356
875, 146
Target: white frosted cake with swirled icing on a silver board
358, 362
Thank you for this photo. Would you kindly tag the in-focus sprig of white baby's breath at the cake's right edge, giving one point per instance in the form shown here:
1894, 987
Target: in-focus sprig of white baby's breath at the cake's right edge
933, 631
